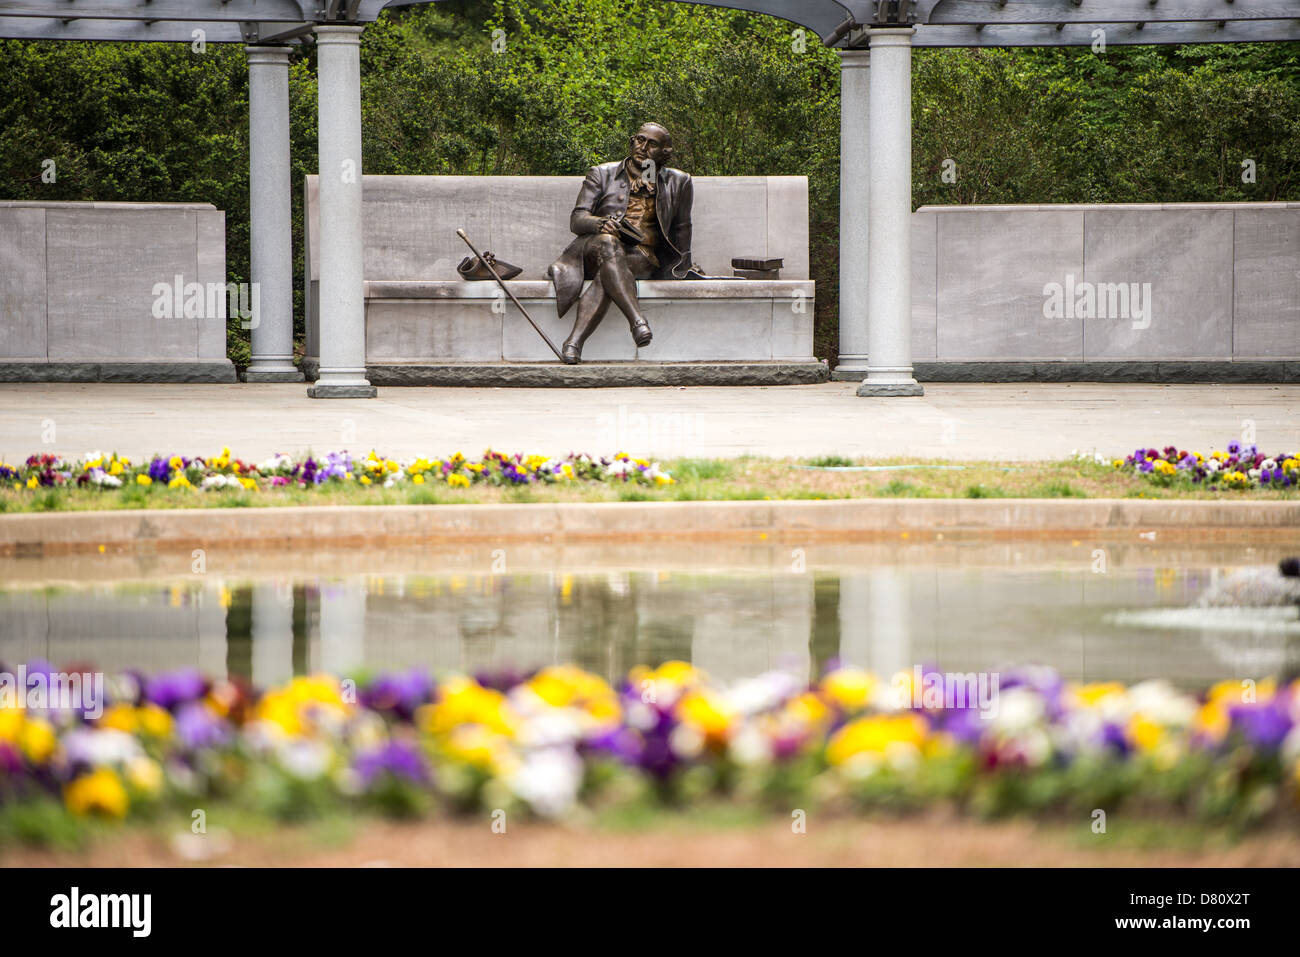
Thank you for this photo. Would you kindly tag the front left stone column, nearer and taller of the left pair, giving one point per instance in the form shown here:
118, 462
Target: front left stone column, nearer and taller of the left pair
343, 310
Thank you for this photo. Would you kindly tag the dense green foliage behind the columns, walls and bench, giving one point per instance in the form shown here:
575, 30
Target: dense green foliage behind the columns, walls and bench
553, 86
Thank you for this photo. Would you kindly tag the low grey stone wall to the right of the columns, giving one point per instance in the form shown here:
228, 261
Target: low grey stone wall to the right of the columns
1219, 288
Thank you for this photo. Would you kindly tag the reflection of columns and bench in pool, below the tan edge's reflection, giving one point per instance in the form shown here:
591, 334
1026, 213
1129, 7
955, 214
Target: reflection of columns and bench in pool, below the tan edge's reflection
1126, 625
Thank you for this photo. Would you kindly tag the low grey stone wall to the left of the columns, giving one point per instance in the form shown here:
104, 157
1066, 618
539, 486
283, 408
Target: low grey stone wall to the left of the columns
79, 300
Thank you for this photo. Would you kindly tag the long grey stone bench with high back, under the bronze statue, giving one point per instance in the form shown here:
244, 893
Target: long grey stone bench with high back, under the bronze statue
426, 326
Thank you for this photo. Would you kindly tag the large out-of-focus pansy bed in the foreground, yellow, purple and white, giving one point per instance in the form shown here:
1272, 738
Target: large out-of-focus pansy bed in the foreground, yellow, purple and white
561, 742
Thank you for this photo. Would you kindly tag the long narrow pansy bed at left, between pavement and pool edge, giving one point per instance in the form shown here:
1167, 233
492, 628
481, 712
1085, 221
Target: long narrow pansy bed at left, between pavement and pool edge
219, 473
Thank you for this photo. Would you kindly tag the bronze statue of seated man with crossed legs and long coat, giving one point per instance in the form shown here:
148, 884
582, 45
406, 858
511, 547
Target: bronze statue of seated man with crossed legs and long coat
640, 192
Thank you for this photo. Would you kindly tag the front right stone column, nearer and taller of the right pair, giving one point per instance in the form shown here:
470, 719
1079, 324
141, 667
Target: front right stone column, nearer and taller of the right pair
890, 214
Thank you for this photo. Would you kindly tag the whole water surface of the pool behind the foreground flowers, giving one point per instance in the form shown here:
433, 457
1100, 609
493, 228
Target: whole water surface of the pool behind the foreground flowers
1094, 613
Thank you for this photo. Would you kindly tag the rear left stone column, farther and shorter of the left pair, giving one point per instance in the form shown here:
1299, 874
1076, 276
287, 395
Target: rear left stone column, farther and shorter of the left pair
271, 243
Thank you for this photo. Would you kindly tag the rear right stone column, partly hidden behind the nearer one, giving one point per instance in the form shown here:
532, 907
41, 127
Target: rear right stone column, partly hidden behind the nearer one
855, 184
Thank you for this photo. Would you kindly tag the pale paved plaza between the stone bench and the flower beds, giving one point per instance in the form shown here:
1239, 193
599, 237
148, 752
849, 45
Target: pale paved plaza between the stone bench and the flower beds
1003, 422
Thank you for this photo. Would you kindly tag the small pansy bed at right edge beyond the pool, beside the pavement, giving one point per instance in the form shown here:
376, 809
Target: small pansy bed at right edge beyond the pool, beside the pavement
1237, 467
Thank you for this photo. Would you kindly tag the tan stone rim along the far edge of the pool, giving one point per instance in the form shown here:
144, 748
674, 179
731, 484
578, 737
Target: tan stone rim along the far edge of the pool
36, 535
